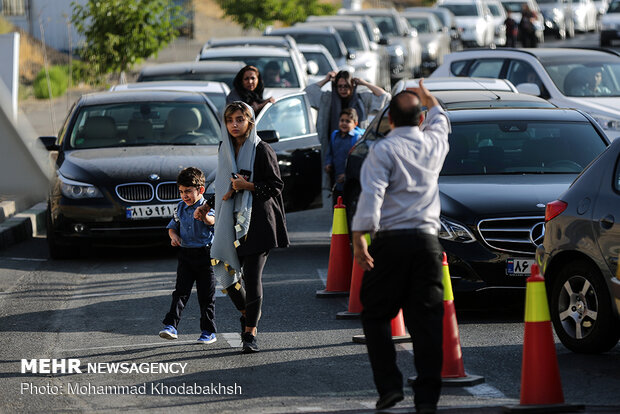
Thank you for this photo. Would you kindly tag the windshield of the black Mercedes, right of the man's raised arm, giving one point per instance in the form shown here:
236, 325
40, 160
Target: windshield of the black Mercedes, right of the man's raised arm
521, 147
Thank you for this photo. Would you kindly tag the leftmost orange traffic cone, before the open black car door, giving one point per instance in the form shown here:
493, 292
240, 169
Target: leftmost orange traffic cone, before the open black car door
340, 260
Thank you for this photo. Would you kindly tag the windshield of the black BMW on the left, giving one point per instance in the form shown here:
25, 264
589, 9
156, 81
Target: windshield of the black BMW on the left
144, 123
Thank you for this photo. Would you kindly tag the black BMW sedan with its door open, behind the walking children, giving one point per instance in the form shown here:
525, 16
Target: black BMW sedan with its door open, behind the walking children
118, 155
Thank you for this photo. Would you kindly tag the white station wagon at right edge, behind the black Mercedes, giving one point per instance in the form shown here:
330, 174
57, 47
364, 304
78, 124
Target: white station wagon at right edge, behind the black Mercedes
569, 78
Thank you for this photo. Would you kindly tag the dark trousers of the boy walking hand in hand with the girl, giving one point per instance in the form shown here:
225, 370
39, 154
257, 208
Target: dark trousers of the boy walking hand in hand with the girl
194, 266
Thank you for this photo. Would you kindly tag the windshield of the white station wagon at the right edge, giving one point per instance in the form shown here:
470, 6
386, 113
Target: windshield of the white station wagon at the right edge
585, 77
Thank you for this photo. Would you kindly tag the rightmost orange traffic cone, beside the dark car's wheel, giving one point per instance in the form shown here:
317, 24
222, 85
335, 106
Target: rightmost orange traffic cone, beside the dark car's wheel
540, 375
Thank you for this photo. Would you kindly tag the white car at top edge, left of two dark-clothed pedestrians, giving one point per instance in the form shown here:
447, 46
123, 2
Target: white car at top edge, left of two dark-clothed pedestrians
474, 19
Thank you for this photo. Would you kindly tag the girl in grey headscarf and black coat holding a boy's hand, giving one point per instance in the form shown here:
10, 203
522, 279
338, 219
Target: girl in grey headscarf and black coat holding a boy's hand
249, 219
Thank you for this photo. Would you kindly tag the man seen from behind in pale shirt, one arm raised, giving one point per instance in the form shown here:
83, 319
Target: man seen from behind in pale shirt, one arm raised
399, 206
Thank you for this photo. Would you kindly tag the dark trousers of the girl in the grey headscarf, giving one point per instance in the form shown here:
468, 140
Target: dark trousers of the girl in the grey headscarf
249, 297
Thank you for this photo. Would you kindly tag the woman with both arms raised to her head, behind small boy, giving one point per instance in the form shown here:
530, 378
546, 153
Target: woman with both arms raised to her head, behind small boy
343, 94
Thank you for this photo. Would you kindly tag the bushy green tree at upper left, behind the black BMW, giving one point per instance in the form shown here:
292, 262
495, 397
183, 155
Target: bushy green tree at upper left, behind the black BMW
120, 33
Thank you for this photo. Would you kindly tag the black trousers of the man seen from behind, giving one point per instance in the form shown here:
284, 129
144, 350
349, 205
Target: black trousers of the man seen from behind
407, 274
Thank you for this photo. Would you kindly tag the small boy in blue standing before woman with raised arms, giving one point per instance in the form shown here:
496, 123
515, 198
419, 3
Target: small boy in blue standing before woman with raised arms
340, 143
